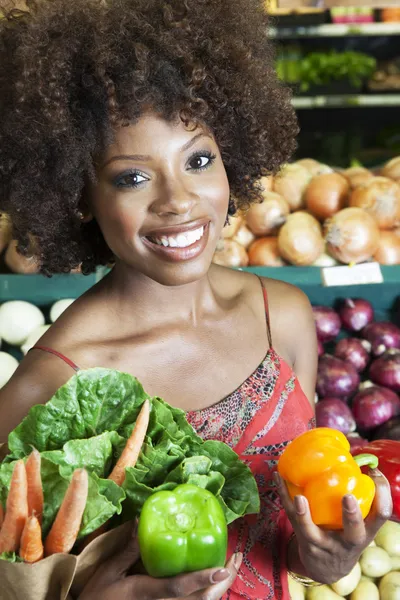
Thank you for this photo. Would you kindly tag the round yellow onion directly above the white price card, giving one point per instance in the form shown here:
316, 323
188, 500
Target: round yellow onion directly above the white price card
352, 235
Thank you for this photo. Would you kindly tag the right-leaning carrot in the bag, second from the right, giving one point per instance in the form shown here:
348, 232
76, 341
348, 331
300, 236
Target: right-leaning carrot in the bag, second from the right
65, 529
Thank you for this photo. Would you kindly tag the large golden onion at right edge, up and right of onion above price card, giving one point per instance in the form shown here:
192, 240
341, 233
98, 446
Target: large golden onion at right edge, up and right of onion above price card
381, 198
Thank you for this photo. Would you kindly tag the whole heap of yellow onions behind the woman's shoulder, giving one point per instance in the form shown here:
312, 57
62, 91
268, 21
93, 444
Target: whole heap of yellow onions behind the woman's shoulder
314, 215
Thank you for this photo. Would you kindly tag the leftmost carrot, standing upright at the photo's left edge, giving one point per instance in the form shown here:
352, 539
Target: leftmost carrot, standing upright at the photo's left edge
16, 510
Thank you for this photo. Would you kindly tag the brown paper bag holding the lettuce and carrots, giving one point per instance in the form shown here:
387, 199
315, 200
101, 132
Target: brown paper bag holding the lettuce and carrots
61, 576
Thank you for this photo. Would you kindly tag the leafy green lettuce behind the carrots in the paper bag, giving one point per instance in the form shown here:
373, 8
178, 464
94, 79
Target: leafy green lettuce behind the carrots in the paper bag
86, 425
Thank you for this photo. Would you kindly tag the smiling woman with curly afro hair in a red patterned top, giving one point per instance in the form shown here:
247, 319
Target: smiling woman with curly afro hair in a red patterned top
130, 129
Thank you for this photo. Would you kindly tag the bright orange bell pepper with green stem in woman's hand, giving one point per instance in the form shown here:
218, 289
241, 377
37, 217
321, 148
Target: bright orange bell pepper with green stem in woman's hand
318, 465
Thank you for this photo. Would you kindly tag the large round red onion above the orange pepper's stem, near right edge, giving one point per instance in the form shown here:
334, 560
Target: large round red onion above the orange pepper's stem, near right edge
373, 406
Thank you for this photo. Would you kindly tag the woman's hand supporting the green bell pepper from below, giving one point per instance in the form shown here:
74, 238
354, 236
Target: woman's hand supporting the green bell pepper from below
111, 580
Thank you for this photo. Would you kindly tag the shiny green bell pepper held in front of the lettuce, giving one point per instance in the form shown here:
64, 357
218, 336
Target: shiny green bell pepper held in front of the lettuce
181, 531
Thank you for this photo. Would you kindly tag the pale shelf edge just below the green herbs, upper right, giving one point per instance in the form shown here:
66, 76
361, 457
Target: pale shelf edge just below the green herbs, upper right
347, 101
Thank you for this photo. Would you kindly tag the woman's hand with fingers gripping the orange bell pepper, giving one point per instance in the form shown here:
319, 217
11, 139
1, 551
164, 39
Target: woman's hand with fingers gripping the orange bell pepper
327, 556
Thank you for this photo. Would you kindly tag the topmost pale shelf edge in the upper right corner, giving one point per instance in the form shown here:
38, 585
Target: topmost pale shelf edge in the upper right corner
336, 30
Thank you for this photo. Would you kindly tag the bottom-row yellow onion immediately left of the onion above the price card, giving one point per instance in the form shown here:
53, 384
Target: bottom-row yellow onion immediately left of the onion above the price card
300, 239
